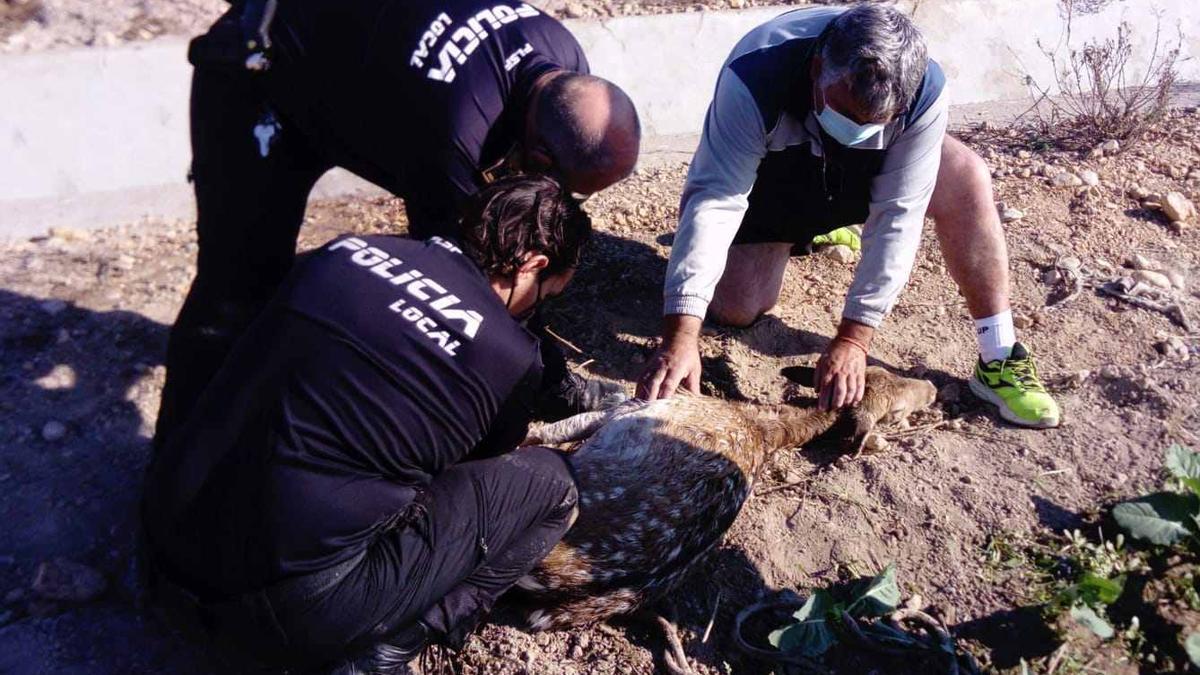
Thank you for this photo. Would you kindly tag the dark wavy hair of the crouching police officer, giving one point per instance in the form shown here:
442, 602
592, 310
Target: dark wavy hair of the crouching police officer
520, 216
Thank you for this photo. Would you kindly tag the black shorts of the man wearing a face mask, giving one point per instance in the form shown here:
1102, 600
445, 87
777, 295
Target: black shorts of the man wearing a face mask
799, 196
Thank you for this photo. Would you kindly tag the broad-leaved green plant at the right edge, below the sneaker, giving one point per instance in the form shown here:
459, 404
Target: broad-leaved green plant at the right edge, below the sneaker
1173, 516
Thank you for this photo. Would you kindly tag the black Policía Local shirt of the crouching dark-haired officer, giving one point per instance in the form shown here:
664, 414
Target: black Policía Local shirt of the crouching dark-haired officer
381, 363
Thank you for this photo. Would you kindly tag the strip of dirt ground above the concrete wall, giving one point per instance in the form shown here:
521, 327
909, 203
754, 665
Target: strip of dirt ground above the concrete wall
34, 26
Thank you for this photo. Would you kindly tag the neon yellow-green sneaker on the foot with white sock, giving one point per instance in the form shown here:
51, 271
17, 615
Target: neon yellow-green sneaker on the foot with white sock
1013, 386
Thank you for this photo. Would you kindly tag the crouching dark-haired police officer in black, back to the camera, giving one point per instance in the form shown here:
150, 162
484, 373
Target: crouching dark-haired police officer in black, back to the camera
346, 491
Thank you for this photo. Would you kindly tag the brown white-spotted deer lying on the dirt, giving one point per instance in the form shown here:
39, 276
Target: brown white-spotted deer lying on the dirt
662, 482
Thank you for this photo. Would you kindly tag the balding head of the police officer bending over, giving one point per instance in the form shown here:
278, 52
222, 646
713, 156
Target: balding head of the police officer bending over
569, 141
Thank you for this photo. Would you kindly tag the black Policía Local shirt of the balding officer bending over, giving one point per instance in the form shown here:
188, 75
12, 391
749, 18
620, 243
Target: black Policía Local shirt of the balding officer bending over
416, 97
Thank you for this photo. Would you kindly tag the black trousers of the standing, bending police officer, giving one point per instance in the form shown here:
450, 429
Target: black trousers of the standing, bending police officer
249, 214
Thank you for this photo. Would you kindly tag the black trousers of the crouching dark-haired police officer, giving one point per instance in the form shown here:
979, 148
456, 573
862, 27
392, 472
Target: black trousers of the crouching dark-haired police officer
445, 561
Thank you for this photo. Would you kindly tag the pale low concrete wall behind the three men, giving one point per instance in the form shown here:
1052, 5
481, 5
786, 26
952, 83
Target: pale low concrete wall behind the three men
100, 136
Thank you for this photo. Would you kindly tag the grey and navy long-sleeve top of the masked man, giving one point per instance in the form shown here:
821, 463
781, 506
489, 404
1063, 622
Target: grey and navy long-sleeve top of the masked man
737, 139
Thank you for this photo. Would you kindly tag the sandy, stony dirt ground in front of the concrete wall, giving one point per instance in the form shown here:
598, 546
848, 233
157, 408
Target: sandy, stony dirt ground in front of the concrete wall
83, 324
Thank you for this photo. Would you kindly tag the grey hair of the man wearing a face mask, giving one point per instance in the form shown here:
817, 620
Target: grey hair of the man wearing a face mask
879, 53
